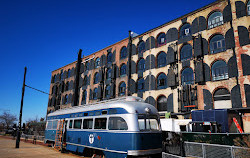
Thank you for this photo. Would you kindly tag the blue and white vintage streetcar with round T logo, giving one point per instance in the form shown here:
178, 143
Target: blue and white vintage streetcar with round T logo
123, 127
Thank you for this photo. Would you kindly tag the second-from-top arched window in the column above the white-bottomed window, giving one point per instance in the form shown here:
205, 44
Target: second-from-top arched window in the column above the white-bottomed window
217, 44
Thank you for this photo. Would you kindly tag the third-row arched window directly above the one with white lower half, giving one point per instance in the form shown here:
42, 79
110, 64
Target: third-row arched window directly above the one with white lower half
219, 70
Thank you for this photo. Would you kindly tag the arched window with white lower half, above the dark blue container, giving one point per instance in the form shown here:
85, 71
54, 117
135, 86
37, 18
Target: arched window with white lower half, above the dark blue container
222, 99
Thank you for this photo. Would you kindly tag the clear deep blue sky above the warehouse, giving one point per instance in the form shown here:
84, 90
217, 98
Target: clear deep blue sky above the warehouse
45, 35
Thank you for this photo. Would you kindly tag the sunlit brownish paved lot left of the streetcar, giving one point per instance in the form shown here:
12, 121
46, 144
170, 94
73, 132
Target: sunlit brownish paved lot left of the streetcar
28, 150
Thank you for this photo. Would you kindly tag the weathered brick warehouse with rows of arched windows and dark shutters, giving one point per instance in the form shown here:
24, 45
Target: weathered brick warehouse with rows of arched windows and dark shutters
198, 61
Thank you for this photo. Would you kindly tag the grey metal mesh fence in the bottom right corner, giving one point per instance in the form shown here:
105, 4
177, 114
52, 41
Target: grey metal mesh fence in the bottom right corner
204, 150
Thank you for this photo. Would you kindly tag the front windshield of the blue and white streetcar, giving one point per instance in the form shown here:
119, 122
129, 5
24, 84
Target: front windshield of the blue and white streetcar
148, 122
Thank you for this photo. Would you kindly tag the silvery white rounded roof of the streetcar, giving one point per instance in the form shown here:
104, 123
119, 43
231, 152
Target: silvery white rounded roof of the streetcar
128, 103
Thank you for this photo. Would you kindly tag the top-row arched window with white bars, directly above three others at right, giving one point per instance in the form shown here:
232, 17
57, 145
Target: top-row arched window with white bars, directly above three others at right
215, 19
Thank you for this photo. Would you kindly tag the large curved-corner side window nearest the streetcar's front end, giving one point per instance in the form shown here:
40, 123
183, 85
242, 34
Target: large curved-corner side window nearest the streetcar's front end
117, 123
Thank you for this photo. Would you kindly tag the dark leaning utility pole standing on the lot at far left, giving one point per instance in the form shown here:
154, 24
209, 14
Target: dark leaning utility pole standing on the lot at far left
21, 111
